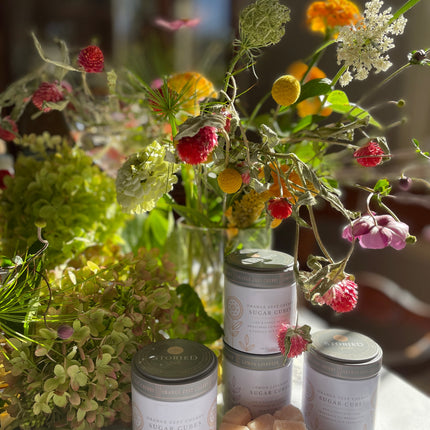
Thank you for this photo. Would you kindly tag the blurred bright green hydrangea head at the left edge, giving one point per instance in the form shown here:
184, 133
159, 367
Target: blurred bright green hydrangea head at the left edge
62, 188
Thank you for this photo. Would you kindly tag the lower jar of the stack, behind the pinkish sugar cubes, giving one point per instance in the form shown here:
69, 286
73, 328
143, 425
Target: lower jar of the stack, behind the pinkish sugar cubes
262, 383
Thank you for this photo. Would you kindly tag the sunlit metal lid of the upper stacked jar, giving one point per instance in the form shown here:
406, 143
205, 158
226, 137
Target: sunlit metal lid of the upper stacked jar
259, 268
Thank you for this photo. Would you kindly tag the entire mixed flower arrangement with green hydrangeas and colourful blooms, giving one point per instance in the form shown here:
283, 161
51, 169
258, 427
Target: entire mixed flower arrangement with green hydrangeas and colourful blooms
239, 170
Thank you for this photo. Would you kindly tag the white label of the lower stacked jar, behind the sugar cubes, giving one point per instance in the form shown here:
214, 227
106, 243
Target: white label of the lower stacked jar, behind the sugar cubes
261, 392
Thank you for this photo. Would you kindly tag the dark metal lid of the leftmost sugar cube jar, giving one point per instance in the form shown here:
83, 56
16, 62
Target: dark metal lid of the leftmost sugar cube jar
174, 370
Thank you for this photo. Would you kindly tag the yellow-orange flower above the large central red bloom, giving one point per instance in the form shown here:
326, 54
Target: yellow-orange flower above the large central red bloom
194, 87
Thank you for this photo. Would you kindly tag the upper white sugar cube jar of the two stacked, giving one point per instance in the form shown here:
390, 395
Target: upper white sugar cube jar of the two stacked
260, 295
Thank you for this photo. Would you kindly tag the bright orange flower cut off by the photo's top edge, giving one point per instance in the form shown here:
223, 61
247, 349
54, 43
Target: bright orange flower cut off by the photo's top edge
323, 16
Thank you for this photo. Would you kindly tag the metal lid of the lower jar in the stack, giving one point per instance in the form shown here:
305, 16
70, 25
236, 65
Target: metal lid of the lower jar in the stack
256, 362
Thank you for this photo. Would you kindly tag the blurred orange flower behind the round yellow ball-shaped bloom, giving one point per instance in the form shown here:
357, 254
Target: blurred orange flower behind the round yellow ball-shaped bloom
312, 105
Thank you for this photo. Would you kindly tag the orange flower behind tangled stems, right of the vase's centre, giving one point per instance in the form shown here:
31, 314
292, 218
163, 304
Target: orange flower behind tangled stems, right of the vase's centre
294, 187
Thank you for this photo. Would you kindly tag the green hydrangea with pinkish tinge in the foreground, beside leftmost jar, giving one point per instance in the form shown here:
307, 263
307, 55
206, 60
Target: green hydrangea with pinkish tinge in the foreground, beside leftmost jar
114, 304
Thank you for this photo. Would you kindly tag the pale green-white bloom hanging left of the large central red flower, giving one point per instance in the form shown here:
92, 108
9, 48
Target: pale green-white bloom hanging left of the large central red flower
144, 178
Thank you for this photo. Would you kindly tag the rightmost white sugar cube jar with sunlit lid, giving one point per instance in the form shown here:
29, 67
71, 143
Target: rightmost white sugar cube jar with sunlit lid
340, 381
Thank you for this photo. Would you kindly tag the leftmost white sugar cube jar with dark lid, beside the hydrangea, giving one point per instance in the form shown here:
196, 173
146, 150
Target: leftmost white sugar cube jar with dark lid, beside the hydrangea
174, 386
